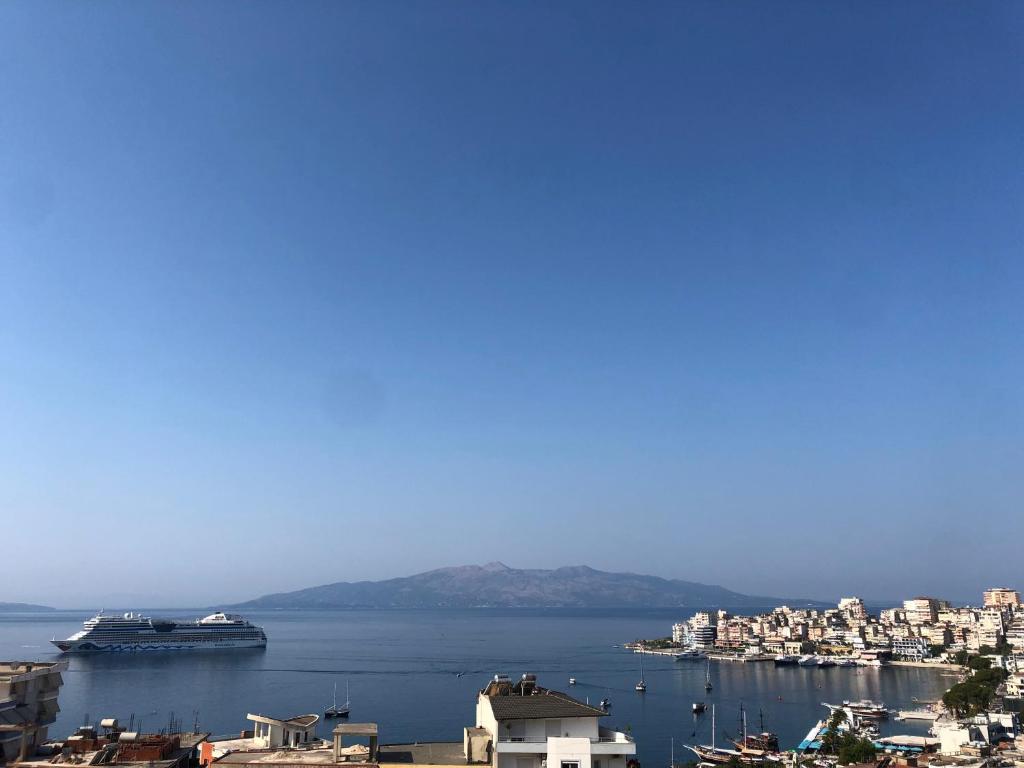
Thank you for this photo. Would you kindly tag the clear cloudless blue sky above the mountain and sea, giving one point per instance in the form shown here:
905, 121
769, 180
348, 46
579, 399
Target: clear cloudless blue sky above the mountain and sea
293, 293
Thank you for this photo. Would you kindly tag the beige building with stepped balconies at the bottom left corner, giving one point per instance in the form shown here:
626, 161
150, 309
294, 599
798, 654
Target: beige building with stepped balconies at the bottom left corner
28, 706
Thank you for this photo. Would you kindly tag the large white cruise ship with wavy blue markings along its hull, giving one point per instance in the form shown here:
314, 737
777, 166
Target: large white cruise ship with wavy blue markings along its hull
136, 632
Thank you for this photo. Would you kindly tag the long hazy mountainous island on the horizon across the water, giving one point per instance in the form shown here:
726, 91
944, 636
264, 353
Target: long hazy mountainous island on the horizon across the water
497, 585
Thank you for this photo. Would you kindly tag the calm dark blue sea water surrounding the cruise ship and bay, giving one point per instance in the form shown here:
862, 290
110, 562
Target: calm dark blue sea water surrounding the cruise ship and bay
417, 672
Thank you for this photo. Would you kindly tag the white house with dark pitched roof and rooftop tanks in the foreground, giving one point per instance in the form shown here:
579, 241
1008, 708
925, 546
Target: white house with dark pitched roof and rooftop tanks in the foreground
531, 727
